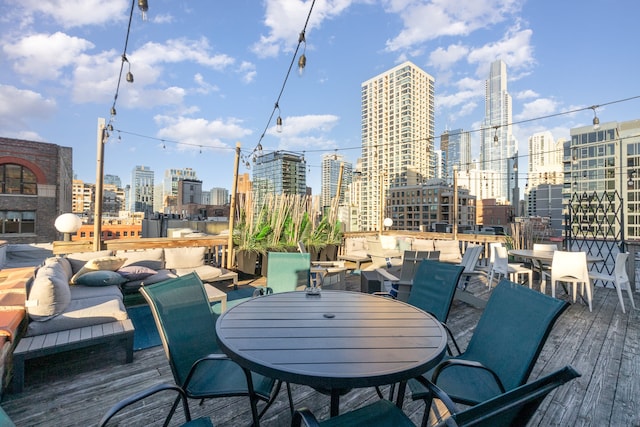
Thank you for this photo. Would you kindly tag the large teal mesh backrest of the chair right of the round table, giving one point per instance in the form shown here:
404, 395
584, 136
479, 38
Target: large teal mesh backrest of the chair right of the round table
512, 331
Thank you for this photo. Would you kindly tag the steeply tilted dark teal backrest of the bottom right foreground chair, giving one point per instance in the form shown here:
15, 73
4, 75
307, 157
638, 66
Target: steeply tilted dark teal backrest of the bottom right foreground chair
515, 407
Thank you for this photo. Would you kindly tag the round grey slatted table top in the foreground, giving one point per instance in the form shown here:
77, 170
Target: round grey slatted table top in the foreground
333, 340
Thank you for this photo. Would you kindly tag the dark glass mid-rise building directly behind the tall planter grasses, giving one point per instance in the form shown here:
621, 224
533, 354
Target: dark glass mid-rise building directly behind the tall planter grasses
280, 172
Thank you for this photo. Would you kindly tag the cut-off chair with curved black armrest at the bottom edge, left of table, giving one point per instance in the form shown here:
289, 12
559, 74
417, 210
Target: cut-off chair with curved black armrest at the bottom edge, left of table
114, 411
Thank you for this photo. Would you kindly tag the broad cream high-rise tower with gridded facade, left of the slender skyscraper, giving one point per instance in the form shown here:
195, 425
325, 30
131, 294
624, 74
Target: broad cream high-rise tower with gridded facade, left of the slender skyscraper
397, 136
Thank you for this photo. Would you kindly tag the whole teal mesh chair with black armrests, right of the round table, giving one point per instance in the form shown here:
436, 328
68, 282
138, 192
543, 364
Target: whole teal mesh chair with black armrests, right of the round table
503, 349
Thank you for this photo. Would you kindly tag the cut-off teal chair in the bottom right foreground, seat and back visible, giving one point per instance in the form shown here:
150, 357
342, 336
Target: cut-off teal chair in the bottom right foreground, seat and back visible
510, 409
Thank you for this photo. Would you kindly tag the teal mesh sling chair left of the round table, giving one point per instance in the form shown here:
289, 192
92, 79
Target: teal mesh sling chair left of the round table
187, 325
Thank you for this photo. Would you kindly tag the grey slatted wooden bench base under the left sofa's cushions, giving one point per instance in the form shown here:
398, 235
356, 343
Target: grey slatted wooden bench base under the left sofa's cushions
119, 332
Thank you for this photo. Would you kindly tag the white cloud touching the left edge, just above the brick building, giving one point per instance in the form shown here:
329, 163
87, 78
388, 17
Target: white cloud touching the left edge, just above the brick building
18, 106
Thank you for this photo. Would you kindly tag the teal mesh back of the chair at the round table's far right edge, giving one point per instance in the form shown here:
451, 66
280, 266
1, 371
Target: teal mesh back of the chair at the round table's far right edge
434, 286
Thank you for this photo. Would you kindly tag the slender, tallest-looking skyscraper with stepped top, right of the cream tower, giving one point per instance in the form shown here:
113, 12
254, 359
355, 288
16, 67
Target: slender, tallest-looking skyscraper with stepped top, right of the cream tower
498, 144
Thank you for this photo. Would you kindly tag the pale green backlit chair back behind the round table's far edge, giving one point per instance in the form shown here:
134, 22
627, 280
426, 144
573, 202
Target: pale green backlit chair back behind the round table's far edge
287, 271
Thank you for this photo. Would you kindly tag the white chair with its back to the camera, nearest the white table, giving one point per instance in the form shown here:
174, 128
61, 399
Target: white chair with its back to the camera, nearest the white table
570, 267
